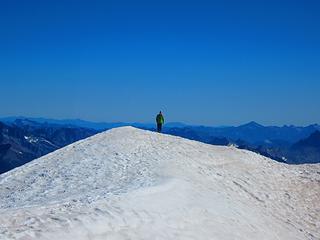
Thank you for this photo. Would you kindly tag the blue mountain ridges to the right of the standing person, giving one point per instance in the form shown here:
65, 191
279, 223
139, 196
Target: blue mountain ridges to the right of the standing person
290, 144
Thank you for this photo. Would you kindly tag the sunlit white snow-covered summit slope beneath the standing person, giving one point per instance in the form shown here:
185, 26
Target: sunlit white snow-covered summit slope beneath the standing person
134, 184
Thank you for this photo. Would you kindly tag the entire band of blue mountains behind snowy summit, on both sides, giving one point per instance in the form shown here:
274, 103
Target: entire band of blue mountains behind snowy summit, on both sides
24, 139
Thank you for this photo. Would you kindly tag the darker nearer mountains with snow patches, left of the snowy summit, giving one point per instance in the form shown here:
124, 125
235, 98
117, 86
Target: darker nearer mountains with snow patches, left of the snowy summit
24, 140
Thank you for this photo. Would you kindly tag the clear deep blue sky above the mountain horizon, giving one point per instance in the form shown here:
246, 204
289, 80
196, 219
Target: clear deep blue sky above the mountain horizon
201, 62
